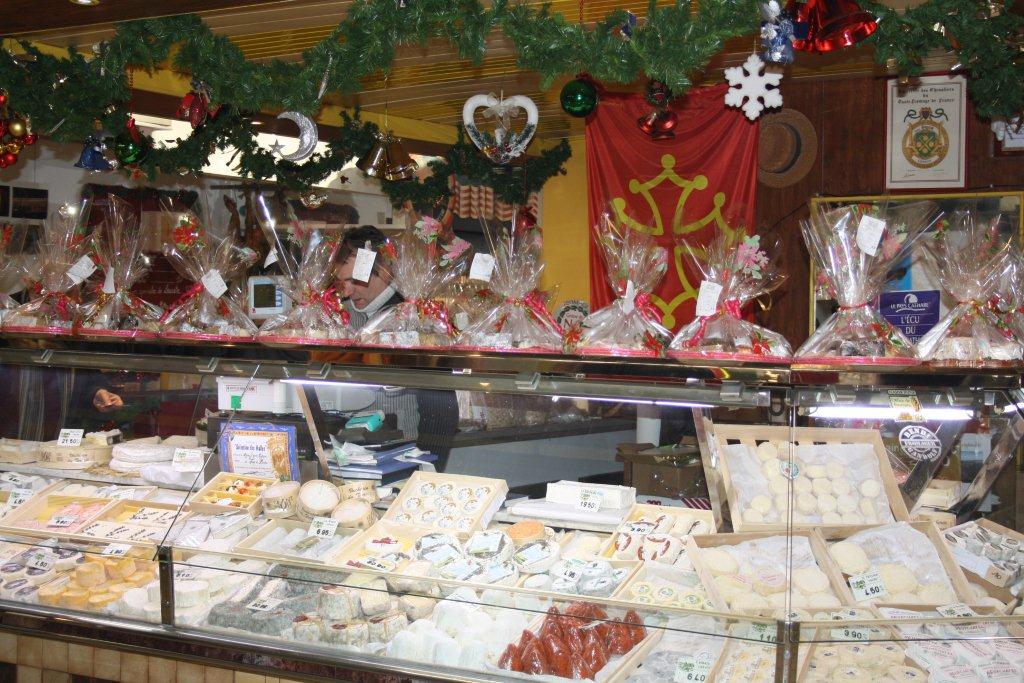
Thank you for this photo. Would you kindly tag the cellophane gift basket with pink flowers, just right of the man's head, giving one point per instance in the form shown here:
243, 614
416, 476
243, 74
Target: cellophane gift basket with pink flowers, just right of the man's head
423, 263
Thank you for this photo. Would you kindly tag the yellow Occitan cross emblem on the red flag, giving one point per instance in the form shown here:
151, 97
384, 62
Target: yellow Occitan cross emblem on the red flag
688, 188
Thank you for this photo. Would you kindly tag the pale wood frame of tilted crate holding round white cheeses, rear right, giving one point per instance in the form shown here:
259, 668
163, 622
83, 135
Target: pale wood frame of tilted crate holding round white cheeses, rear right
751, 436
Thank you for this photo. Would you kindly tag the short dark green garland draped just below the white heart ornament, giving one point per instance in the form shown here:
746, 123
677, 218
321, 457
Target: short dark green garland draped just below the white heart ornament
511, 185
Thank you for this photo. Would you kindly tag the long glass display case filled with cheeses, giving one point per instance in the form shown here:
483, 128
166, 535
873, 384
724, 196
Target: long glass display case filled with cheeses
466, 517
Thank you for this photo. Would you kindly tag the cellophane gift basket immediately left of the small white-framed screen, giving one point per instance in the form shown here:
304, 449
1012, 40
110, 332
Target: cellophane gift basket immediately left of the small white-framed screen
207, 311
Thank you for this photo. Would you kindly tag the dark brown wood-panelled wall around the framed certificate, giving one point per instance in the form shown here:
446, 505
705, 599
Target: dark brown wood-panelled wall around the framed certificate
850, 118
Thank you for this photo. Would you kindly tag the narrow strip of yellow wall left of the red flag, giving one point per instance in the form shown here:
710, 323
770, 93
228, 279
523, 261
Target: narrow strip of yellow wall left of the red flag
567, 233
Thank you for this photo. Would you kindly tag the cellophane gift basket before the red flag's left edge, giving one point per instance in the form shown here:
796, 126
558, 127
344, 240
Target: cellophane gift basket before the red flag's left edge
631, 325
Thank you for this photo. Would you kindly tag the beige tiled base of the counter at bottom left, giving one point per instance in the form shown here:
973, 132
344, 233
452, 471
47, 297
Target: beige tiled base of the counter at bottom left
26, 660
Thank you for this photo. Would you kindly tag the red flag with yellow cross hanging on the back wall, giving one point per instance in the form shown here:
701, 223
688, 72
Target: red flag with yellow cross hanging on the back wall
702, 182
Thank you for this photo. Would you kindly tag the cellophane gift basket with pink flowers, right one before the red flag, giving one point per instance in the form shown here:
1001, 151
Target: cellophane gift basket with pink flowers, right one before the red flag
736, 269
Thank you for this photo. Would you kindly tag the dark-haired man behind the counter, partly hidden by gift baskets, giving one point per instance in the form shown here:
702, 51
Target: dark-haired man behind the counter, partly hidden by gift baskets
438, 410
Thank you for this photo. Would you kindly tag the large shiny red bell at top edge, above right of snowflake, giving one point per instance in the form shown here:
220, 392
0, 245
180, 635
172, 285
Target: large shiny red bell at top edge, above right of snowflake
824, 26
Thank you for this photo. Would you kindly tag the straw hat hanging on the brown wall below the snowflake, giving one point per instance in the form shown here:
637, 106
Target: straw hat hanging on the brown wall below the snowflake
788, 148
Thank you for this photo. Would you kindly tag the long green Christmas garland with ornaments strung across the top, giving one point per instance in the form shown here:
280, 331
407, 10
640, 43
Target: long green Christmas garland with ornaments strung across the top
64, 97
